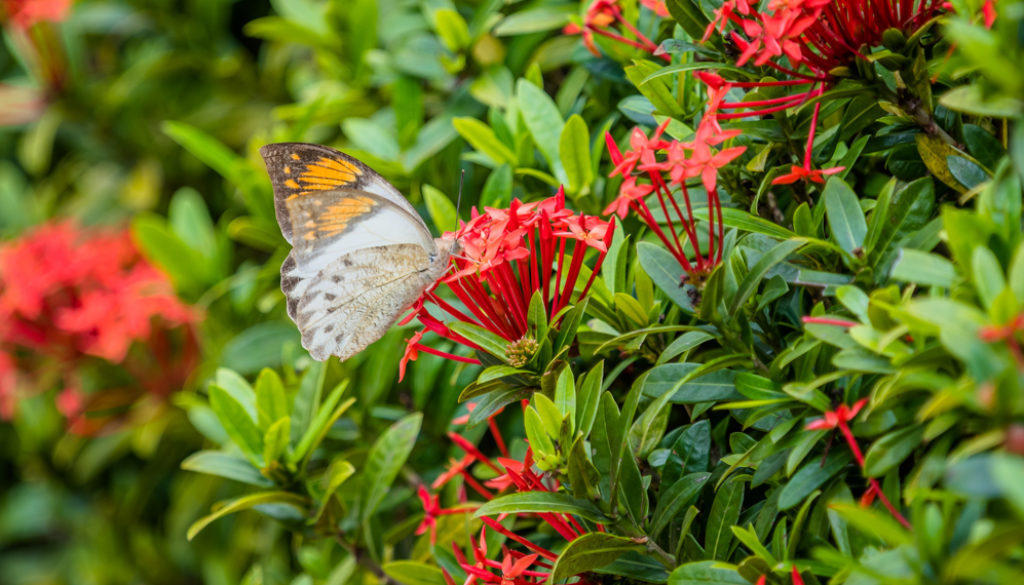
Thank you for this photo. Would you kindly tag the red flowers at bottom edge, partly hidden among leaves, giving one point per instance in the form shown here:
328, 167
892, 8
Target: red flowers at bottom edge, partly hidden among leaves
517, 567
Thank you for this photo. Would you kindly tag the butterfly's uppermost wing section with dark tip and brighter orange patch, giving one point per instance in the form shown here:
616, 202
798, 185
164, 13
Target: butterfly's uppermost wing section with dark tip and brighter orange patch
300, 171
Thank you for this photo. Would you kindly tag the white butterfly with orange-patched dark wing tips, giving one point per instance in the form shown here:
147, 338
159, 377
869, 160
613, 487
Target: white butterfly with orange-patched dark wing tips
361, 254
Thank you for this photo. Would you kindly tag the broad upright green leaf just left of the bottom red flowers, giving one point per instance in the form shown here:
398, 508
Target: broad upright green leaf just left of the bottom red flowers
386, 459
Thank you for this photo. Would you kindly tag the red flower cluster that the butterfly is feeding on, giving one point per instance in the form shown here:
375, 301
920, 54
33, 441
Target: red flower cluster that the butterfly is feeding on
507, 257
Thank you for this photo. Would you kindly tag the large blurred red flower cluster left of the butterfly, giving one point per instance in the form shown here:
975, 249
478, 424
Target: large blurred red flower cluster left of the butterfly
74, 299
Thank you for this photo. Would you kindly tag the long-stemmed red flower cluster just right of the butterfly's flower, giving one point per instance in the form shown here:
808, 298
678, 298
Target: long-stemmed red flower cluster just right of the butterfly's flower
682, 161
